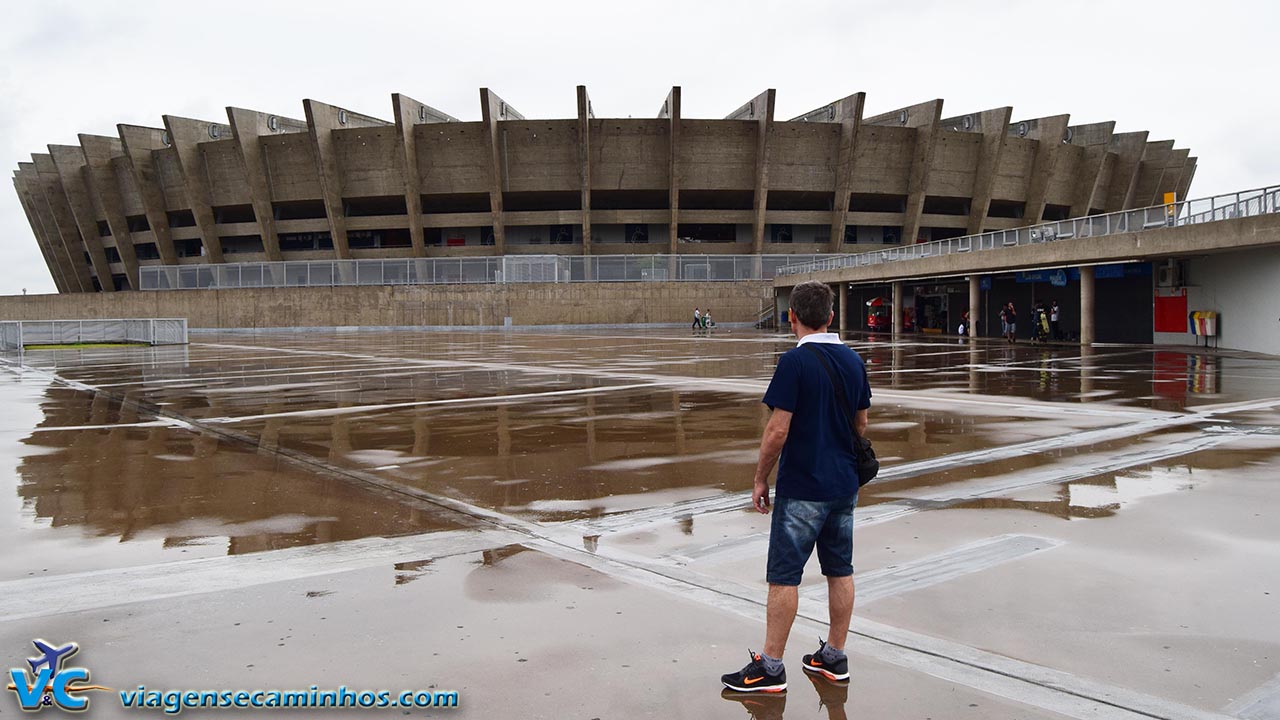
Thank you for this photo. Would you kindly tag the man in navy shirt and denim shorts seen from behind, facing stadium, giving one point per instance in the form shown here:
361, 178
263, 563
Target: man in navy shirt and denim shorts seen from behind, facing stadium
817, 487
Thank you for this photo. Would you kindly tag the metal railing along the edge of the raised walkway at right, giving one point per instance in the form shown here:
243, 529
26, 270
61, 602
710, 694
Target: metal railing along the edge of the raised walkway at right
1190, 212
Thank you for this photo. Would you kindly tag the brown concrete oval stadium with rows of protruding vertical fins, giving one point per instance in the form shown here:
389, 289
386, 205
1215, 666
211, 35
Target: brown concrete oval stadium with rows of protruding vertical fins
424, 184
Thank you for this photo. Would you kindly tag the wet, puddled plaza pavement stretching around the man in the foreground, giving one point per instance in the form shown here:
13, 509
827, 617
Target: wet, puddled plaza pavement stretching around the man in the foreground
554, 523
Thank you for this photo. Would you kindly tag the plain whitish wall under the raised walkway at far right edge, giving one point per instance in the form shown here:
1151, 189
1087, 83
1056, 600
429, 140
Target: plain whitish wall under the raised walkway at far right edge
1245, 290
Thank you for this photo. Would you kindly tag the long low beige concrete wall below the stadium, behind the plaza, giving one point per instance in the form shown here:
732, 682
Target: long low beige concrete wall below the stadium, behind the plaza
533, 304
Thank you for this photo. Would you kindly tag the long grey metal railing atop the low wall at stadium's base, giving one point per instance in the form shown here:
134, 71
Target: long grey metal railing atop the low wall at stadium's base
454, 271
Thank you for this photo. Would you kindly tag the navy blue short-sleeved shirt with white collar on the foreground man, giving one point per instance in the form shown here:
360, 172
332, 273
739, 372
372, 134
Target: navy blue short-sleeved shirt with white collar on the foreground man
819, 457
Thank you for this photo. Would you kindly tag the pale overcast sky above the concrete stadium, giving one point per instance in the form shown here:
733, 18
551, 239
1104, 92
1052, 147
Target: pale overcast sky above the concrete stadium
1201, 74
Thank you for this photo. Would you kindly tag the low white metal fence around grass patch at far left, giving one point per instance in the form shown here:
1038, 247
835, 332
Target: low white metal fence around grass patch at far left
17, 335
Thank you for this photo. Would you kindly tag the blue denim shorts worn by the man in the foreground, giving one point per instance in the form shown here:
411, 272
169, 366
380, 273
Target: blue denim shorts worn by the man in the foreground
798, 526
